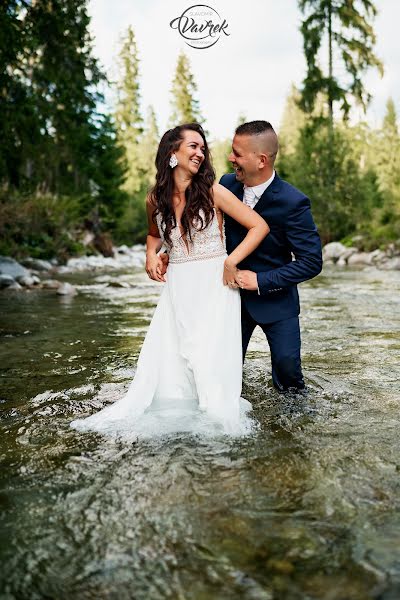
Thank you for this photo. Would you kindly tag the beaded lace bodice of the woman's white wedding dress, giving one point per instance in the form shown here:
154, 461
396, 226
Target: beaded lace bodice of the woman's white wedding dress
206, 243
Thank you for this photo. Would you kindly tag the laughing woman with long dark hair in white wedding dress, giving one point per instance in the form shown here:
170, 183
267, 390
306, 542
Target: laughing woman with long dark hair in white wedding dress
189, 372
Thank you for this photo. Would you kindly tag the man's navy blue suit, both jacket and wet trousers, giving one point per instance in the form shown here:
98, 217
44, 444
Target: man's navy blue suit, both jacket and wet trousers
292, 231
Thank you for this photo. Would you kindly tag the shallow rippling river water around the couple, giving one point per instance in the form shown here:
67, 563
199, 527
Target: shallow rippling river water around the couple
306, 507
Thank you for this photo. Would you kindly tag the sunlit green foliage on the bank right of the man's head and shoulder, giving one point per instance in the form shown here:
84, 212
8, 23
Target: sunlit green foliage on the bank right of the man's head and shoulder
350, 173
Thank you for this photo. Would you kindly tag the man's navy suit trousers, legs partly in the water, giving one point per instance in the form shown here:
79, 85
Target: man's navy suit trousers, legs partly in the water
284, 342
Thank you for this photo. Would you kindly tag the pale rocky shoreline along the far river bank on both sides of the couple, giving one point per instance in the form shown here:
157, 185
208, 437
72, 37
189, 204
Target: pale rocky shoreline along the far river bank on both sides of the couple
33, 273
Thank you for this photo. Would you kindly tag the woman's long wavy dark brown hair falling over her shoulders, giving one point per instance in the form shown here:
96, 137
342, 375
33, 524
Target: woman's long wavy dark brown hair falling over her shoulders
199, 201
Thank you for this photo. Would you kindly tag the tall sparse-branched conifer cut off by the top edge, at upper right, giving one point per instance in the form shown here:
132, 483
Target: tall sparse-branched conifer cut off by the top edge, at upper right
345, 26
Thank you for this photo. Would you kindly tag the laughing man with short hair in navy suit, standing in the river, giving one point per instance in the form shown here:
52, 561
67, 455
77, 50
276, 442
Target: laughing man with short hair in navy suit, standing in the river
268, 278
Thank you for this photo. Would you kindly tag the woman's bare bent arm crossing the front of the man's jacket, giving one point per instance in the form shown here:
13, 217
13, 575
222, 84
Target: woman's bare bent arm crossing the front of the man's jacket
243, 214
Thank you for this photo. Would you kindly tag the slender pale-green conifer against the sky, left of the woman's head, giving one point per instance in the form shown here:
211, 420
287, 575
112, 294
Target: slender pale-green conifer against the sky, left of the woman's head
127, 115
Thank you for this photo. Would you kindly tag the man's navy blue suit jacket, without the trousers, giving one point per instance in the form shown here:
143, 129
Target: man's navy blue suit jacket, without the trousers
292, 230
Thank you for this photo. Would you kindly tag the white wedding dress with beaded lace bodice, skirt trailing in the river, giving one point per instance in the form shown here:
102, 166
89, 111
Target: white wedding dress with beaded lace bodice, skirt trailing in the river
189, 372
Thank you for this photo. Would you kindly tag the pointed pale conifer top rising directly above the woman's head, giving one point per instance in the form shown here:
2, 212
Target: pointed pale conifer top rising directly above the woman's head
185, 106
